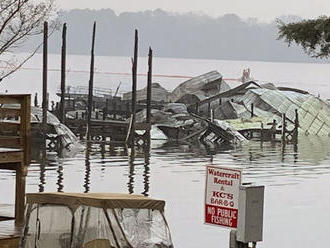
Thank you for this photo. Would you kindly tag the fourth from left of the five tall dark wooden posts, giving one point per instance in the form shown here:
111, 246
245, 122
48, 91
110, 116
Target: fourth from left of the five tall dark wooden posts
134, 82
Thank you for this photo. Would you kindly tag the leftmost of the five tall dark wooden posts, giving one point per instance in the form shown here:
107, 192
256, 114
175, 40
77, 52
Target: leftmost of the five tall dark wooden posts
44, 80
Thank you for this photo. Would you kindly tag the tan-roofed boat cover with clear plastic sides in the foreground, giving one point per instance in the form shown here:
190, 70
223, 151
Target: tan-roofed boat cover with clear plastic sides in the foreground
95, 220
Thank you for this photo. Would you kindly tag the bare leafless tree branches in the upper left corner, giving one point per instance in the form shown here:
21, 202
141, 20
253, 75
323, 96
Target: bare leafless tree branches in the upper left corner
19, 21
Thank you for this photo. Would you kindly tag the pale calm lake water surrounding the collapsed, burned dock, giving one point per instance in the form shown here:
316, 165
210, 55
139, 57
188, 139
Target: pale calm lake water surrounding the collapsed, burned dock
297, 199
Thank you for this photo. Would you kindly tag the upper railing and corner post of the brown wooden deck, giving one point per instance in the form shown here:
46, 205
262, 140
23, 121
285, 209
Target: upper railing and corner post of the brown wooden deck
15, 147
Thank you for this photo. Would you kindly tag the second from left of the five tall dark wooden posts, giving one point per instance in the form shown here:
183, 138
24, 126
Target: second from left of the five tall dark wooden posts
63, 68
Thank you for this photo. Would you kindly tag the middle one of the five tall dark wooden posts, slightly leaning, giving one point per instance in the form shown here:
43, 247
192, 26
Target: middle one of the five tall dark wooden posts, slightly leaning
90, 88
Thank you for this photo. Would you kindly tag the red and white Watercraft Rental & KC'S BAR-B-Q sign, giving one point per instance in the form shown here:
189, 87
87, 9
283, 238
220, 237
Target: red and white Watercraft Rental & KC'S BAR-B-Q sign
221, 196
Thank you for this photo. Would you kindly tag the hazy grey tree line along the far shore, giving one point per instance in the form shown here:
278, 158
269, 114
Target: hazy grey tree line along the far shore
175, 35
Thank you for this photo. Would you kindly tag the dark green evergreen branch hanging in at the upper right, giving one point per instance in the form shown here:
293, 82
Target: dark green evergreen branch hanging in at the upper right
312, 35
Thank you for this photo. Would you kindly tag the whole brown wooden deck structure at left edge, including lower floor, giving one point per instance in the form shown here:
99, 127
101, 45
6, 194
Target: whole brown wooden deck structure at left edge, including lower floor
15, 156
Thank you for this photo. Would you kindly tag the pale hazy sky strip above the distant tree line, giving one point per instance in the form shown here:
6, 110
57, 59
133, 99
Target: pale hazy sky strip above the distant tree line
265, 10
